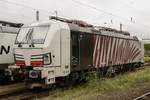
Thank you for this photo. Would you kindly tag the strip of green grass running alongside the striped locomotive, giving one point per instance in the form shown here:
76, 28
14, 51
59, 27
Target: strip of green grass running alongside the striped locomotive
100, 86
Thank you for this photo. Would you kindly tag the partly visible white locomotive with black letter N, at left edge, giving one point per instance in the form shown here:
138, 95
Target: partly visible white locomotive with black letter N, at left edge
8, 33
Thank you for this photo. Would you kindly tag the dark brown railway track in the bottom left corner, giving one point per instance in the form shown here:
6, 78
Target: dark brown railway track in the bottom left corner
22, 93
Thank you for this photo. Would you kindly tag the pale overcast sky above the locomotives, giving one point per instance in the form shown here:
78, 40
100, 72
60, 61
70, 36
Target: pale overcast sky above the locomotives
98, 12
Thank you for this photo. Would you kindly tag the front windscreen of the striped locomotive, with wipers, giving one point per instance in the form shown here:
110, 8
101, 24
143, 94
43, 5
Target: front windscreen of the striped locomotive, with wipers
35, 34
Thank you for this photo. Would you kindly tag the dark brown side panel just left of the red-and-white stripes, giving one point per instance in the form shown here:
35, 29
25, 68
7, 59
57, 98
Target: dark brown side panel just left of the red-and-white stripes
86, 50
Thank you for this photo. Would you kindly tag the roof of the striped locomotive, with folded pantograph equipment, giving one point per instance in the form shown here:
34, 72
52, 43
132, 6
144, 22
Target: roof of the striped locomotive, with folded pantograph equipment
84, 27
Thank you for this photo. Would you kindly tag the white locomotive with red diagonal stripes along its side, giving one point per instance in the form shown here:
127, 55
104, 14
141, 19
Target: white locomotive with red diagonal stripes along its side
47, 52
